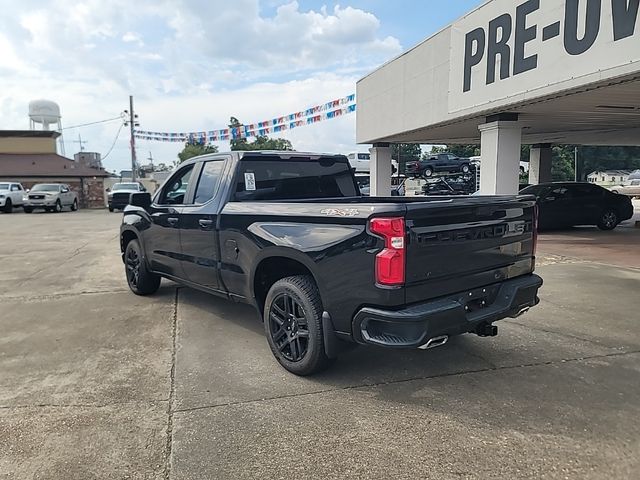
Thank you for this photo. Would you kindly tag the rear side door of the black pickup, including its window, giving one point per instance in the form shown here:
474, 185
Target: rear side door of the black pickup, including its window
198, 232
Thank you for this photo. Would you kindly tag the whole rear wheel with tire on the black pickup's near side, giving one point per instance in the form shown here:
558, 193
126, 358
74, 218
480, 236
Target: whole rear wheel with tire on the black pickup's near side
293, 325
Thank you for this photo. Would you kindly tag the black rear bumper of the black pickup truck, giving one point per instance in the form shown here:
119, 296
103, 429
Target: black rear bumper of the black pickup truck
455, 314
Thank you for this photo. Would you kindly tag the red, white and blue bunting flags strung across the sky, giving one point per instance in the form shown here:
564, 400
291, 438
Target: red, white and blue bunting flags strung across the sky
309, 116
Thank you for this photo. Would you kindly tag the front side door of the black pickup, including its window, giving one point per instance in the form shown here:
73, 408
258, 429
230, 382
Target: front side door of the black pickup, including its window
163, 241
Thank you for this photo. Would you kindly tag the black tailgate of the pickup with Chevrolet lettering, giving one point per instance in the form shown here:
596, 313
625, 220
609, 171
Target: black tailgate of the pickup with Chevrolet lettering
465, 243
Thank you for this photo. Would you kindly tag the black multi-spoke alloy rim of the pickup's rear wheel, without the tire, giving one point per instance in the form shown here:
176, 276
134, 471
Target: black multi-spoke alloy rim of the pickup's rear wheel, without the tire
289, 328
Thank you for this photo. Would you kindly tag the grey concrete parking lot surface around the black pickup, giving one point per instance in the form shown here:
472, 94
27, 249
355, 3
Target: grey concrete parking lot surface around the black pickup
98, 383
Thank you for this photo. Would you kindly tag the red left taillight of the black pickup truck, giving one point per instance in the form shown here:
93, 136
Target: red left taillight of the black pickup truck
390, 262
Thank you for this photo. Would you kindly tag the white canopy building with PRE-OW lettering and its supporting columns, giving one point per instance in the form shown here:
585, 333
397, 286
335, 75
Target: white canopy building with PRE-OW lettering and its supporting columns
534, 72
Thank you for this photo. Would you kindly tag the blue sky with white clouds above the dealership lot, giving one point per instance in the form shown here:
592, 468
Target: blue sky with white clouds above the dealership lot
191, 64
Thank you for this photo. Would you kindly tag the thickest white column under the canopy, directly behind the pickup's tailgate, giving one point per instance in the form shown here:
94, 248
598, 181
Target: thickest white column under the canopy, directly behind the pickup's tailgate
500, 157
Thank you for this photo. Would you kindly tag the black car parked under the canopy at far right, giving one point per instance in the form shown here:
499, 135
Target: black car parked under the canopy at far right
566, 204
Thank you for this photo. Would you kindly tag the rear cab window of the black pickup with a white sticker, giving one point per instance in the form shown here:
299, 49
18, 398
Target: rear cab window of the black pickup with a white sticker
274, 178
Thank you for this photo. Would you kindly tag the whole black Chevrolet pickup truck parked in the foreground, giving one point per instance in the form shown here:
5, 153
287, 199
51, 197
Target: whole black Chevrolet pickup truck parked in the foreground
289, 233
